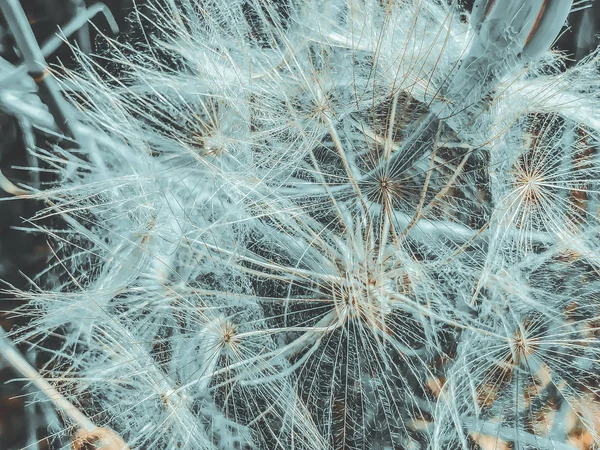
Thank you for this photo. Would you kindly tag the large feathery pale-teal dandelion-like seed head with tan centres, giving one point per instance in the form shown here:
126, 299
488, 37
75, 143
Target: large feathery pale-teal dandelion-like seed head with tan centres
317, 229
